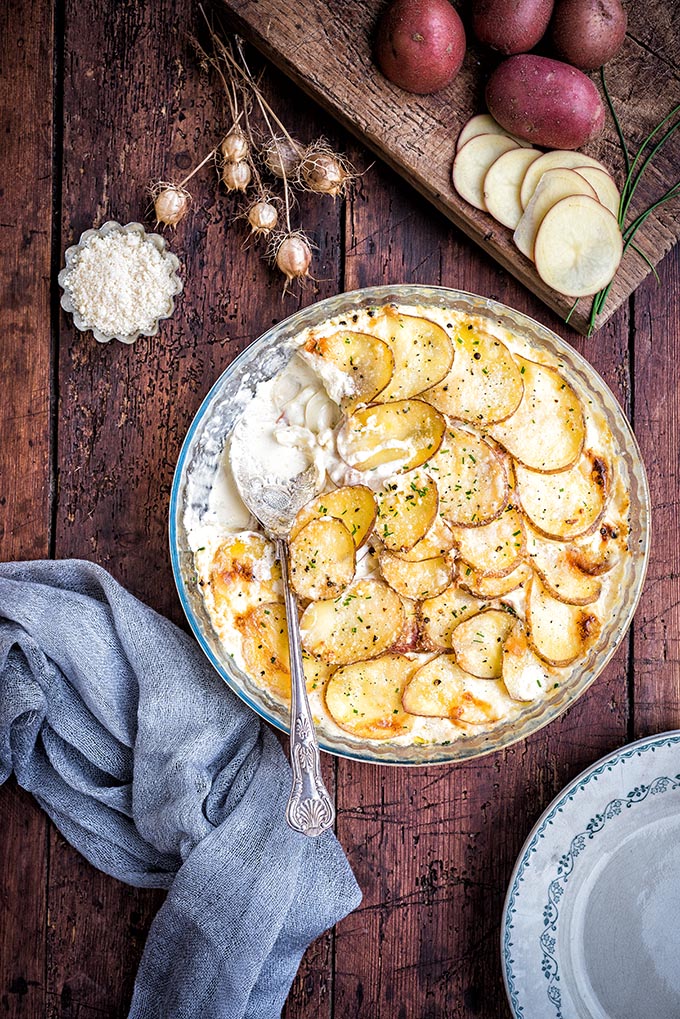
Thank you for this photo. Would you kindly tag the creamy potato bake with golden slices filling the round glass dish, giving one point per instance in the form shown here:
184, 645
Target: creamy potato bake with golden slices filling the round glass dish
467, 542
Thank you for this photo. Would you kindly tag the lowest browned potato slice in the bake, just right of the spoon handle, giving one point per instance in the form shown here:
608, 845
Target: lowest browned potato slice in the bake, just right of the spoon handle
365, 699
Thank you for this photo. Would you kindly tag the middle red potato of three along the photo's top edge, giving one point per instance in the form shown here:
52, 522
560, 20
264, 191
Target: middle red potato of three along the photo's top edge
511, 26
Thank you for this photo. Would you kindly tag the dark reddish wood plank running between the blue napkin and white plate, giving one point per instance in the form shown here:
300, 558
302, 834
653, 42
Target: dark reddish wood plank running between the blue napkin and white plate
434, 849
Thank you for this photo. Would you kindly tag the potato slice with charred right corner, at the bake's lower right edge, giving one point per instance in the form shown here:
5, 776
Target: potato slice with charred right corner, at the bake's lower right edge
558, 632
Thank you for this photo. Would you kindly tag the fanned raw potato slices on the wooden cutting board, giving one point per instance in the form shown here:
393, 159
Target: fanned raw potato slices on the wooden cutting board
562, 205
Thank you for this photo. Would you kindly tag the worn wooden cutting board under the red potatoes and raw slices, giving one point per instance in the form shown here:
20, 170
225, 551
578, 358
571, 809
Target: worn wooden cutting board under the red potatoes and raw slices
326, 47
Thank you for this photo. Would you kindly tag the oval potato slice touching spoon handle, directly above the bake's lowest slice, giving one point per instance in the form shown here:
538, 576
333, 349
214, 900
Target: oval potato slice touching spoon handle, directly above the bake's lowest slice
362, 623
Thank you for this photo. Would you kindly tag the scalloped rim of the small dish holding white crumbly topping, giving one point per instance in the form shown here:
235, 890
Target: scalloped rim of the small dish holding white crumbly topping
110, 228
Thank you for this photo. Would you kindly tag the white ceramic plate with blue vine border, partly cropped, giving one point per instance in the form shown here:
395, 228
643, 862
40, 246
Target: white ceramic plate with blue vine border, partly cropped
592, 921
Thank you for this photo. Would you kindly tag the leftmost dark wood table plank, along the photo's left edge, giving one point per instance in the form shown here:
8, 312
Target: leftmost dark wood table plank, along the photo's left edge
26, 100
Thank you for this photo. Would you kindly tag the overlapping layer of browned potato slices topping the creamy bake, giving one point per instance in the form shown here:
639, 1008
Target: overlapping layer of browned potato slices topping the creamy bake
490, 492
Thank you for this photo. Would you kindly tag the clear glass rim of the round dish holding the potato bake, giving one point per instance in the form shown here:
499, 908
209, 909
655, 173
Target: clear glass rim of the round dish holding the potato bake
201, 459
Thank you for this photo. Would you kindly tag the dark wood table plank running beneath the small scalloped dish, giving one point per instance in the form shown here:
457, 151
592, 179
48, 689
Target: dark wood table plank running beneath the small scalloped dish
125, 411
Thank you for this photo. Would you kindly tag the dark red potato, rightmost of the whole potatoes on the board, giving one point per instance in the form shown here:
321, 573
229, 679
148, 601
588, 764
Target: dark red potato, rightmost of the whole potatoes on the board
589, 33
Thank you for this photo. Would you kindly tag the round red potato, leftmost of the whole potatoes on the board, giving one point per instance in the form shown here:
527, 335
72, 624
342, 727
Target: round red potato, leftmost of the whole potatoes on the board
421, 45
